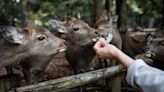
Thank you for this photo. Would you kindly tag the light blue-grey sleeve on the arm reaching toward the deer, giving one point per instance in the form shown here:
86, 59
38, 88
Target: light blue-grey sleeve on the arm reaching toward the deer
147, 78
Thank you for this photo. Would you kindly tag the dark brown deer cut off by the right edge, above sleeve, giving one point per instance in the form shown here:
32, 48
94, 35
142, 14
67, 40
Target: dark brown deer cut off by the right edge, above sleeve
154, 50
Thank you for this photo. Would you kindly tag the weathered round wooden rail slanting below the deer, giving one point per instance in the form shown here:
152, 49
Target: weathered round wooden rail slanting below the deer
71, 81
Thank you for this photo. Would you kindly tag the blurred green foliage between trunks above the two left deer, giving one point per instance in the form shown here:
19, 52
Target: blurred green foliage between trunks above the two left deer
61, 9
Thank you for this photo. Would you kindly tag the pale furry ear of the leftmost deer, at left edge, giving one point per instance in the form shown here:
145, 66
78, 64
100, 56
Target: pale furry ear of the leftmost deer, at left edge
11, 34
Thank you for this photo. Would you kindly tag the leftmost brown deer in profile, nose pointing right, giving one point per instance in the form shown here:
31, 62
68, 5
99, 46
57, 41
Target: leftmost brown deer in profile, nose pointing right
27, 45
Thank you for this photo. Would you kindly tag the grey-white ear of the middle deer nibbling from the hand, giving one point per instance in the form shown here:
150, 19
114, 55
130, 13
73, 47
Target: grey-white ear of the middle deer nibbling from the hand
57, 26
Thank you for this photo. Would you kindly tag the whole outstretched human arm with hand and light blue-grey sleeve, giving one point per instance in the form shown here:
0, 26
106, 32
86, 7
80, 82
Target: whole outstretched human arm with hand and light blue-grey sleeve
139, 74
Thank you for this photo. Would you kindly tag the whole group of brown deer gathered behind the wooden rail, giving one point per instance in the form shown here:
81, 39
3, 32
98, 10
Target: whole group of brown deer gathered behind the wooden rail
32, 47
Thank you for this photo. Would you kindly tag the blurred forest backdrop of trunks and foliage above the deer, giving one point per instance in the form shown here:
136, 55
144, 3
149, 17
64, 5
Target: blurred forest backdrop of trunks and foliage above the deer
132, 13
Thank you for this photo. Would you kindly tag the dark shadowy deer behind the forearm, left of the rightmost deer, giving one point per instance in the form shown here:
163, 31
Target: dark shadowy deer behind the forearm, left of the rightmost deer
135, 42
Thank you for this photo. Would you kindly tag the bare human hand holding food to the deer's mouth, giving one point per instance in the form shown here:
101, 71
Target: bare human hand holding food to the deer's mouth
105, 50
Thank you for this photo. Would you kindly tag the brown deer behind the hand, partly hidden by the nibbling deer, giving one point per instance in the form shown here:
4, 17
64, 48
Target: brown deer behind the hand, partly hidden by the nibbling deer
109, 25
